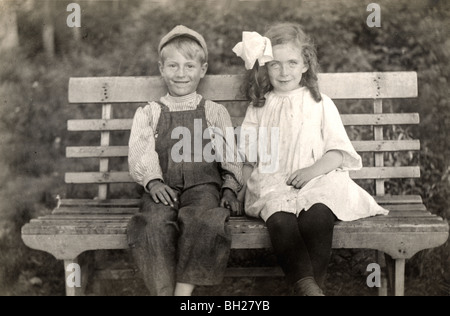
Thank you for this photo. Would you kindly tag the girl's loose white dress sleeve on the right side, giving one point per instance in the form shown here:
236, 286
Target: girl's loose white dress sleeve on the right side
336, 138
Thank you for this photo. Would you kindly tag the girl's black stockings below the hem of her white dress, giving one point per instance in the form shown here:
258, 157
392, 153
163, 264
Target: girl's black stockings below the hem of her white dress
303, 244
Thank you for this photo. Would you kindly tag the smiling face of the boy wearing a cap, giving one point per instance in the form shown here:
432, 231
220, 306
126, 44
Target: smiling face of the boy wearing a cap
181, 75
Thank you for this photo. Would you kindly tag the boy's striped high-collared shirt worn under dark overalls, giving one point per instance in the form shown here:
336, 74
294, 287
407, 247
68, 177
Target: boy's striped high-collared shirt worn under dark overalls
143, 159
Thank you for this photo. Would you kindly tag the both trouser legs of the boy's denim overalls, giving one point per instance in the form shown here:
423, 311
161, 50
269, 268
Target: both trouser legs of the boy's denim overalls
187, 244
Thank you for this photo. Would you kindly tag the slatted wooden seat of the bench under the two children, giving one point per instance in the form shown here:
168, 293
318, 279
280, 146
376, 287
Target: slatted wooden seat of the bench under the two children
401, 234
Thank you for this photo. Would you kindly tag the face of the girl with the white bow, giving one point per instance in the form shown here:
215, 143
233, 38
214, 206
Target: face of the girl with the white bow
287, 67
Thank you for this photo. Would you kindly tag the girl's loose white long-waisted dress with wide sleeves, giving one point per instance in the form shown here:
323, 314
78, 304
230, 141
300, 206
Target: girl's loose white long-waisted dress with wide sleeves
307, 130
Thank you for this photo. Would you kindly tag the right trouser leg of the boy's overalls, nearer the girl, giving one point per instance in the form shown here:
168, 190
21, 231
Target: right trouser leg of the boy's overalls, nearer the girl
204, 243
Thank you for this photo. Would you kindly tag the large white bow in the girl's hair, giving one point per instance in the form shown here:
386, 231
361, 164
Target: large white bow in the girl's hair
252, 48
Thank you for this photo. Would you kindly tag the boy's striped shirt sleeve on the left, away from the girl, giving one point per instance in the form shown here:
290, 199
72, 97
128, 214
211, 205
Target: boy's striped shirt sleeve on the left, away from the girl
143, 160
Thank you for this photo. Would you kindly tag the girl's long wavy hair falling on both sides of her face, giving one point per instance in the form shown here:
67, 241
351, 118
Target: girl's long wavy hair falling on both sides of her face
258, 84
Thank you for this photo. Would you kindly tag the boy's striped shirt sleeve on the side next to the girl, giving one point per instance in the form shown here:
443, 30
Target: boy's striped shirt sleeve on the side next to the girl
223, 136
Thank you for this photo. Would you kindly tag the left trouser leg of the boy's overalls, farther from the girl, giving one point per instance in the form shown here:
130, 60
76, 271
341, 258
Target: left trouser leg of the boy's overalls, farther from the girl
152, 236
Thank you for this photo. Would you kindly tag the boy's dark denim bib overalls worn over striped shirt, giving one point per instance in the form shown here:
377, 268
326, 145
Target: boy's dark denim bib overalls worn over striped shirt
188, 243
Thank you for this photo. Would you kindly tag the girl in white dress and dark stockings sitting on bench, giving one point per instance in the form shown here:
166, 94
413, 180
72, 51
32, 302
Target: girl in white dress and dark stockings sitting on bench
310, 189
